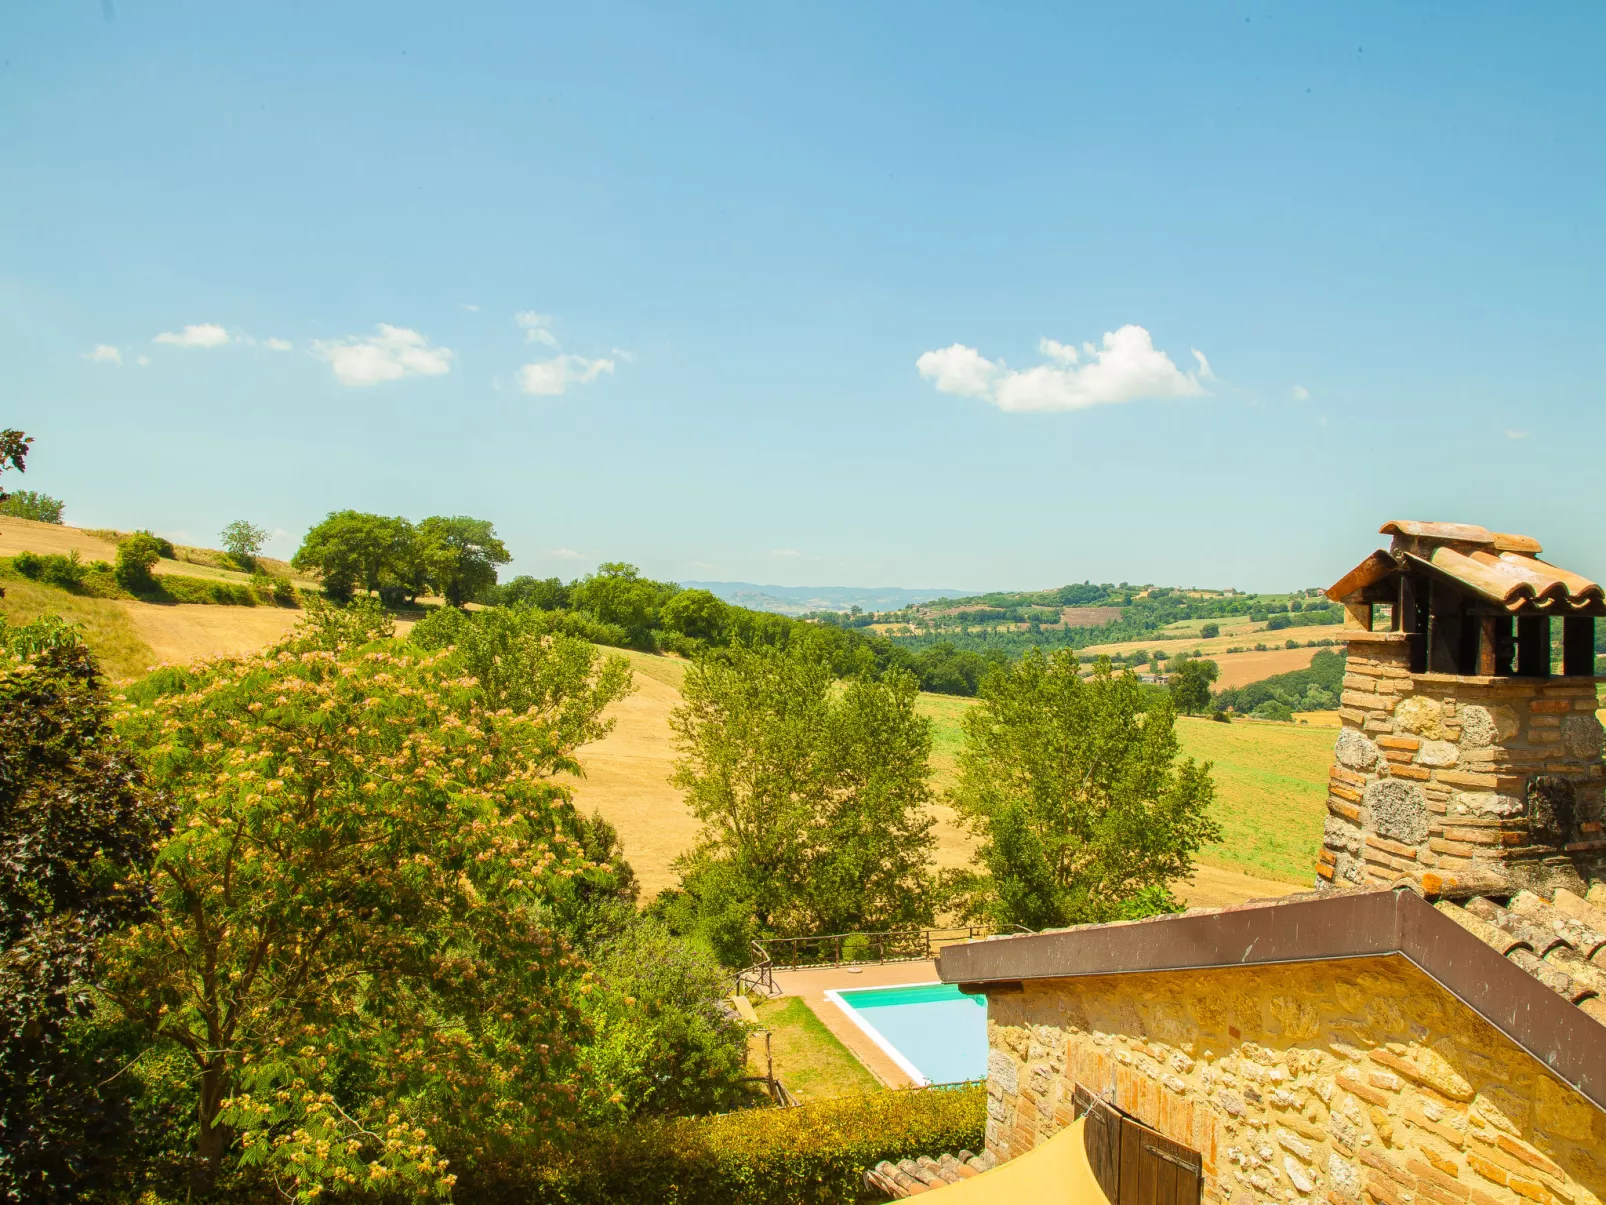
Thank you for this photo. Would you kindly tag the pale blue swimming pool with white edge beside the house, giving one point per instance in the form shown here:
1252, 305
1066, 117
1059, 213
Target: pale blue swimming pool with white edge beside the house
934, 1032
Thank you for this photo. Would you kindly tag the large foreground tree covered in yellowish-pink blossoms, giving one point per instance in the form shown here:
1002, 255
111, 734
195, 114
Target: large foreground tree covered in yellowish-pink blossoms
353, 947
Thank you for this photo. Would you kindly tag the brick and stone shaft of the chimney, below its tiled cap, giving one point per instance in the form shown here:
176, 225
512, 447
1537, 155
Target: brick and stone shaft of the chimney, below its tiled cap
1441, 778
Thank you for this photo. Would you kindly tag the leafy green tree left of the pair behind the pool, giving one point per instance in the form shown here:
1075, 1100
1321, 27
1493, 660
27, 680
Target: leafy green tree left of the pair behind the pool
812, 798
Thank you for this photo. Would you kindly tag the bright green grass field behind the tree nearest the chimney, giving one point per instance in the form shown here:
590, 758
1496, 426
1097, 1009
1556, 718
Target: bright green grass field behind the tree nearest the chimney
1271, 785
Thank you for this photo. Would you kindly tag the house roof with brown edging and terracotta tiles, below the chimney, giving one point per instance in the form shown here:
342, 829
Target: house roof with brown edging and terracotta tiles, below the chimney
1539, 991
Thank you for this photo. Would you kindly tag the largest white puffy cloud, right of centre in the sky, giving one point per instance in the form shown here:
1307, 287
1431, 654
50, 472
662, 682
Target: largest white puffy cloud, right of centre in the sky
1127, 369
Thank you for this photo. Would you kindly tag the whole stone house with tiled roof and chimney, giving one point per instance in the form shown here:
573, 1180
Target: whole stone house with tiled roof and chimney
1429, 1027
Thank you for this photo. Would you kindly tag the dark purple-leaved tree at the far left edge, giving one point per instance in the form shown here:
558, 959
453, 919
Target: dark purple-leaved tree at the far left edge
73, 825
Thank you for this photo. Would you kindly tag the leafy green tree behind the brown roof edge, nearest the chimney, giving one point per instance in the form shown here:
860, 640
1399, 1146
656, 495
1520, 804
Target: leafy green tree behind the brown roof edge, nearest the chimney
1078, 796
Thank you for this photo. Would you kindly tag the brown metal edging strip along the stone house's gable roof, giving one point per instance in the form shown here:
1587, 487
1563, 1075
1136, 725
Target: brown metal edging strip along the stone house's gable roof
1342, 926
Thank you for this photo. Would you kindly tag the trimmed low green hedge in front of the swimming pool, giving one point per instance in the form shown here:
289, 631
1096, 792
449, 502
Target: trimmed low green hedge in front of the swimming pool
815, 1154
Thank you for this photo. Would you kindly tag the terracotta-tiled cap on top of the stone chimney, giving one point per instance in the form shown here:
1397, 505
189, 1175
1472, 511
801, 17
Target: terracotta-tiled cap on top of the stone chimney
1498, 566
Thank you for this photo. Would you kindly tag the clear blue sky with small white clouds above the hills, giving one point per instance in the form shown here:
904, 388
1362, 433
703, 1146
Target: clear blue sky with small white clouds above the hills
974, 296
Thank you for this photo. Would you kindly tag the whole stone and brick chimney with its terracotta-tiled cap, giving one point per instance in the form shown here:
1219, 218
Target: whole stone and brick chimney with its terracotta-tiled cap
1467, 762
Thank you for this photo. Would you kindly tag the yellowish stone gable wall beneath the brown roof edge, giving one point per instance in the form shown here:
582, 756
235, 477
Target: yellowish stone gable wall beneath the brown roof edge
1355, 1082
